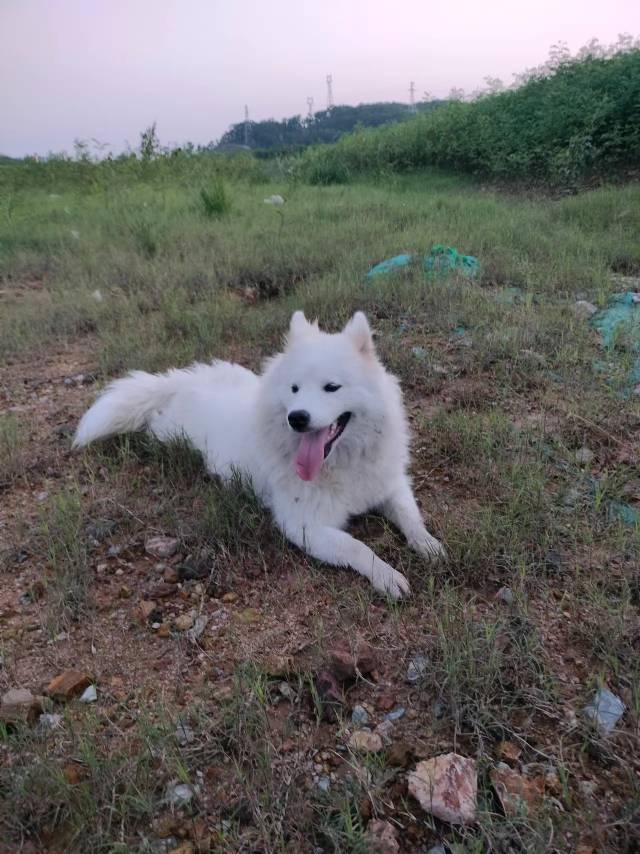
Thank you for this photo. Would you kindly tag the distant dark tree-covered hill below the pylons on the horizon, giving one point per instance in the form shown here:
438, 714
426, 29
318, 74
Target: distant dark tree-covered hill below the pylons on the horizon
324, 126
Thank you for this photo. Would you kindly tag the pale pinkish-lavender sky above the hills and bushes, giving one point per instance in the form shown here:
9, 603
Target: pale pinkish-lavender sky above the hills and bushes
105, 69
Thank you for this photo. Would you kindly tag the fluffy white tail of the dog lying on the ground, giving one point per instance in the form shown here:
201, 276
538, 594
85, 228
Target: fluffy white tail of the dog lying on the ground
126, 405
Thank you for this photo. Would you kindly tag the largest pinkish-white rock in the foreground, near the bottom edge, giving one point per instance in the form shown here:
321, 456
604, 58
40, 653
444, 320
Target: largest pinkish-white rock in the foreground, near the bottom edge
447, 787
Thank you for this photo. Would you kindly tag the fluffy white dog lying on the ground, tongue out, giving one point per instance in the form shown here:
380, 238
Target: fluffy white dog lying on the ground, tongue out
321, 435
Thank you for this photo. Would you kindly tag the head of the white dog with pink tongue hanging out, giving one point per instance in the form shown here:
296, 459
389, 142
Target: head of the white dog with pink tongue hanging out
325, 394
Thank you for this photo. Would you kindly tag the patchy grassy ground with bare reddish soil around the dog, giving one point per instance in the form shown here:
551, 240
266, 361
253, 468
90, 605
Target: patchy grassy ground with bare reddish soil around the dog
502, 396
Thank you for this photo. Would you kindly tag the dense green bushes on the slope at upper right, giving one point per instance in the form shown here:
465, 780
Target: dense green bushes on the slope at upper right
580, 122
